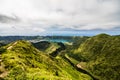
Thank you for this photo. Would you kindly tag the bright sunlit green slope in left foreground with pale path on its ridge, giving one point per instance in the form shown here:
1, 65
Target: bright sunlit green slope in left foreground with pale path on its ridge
21, 61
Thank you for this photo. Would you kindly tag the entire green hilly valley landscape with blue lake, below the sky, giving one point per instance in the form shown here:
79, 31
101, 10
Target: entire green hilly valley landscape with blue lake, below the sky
52, 58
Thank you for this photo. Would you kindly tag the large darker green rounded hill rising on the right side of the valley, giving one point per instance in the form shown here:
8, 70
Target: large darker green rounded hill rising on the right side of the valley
100, 56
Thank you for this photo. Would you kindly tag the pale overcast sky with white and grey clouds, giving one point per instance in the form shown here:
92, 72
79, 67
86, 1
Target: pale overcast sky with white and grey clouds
37, 17
